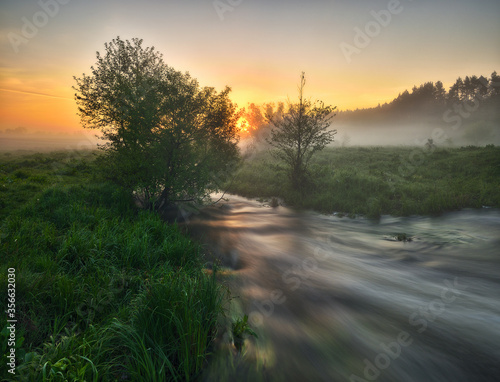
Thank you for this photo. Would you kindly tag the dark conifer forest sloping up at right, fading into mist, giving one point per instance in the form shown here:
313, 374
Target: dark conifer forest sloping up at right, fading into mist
470, 110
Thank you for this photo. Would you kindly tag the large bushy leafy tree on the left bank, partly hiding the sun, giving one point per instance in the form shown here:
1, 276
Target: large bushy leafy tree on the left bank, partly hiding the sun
165, 136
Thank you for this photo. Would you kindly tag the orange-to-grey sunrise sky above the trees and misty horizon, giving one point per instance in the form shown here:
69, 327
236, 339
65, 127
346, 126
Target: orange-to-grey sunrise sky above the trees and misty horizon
355, 53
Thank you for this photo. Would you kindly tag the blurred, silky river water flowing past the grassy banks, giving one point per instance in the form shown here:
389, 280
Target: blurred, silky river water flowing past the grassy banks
340, 299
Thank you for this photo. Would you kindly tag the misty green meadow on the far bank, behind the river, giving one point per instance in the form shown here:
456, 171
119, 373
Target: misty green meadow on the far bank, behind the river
382, 180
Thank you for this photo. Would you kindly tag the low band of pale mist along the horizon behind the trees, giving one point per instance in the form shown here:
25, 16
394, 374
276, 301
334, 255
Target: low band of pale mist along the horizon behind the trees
348, 134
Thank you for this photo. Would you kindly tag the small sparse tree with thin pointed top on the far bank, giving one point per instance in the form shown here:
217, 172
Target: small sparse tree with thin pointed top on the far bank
299, 132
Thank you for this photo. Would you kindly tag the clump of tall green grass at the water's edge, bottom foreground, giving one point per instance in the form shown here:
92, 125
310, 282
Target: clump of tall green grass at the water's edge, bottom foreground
172, 324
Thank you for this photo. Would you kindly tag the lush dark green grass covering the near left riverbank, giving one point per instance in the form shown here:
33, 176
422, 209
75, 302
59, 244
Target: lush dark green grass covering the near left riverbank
103, 291
